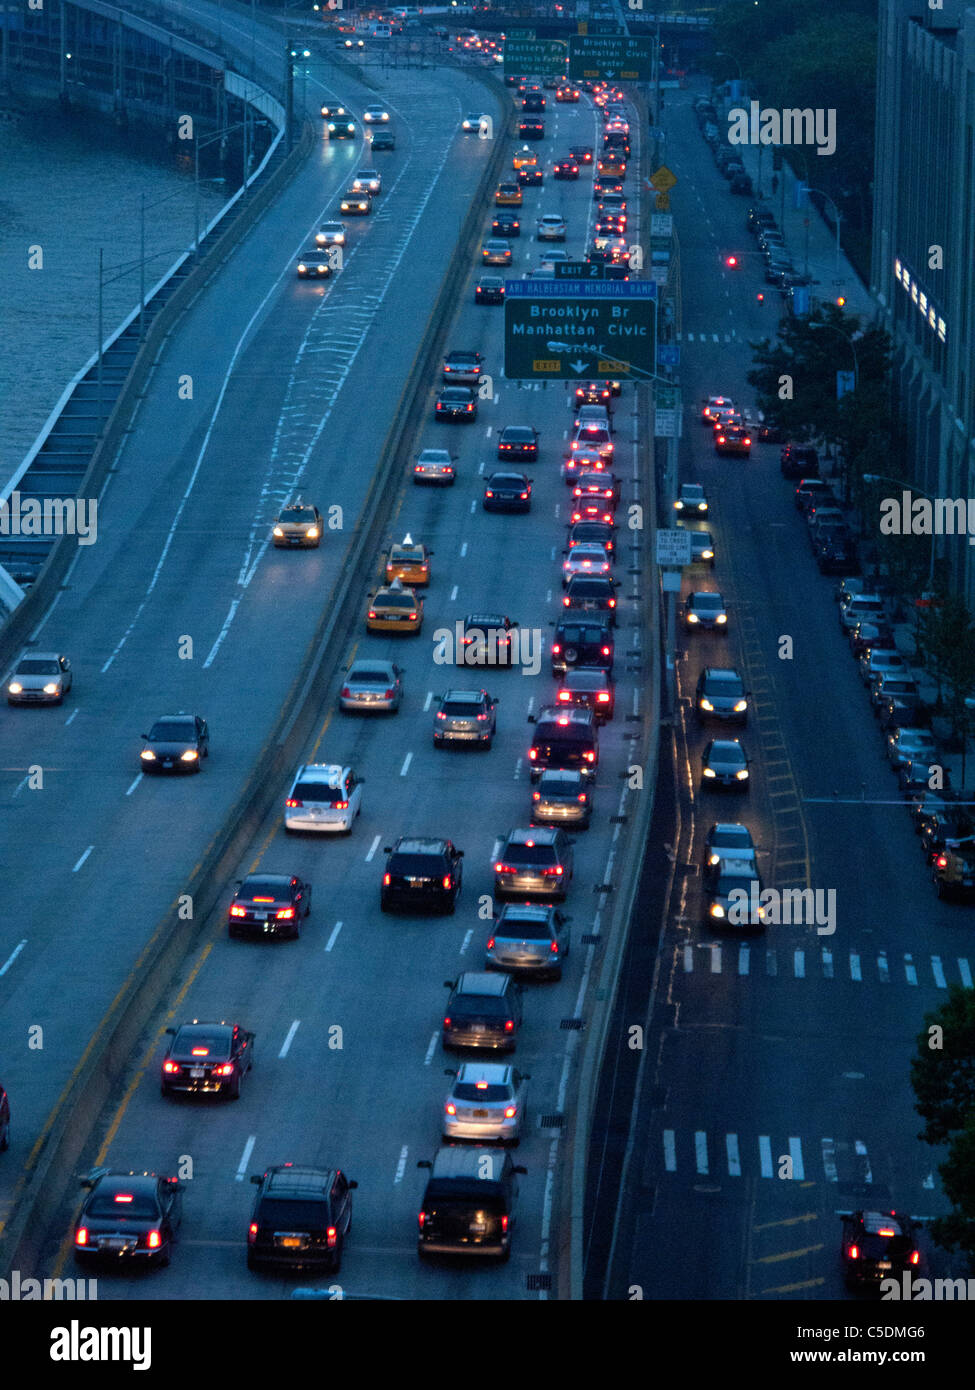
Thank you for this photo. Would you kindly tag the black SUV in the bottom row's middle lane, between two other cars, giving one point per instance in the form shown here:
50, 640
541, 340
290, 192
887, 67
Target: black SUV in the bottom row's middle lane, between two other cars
301, 1217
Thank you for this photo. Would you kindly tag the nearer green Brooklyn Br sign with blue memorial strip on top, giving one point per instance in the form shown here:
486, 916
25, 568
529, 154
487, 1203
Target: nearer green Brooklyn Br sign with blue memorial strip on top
572, 329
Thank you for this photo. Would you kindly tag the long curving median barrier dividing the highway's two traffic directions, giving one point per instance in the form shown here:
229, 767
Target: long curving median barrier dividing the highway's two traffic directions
69, 1128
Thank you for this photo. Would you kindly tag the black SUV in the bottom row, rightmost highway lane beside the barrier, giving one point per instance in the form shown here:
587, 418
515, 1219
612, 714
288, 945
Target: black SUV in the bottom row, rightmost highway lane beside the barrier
469, 1204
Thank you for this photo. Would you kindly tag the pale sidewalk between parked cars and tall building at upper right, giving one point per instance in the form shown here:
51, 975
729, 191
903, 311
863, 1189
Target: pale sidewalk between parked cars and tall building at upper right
809, 237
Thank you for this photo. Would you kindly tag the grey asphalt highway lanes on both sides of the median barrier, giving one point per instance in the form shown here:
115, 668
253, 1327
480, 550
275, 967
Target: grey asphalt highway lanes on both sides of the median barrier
184, 605
